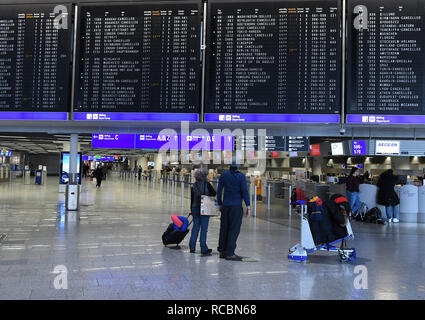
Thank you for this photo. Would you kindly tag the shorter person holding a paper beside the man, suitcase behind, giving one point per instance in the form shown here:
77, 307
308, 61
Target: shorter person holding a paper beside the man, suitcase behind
200, 187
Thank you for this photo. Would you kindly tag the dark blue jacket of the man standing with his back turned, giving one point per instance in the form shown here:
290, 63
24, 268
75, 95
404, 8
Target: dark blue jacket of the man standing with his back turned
234, 184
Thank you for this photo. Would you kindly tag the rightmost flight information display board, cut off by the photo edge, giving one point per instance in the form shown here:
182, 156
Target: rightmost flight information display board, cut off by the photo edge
386, 61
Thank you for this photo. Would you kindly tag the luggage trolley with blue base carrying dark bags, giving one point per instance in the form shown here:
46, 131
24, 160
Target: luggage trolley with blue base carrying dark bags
300, 251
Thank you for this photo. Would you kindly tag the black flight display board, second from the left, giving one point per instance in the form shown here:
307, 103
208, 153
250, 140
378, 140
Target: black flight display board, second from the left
139, 62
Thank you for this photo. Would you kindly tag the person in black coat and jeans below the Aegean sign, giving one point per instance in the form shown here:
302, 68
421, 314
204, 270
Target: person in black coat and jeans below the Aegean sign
387, 195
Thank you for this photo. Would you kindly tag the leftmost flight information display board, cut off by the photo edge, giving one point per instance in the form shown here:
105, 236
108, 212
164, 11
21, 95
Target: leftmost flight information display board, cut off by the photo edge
35, 57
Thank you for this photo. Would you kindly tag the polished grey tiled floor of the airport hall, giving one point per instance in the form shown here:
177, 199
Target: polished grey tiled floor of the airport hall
112, 249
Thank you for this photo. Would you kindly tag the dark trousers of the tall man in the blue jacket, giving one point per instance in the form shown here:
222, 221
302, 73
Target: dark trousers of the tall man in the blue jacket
230, 227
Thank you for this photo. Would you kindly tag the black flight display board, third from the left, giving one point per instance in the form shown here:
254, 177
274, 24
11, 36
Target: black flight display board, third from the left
273, 61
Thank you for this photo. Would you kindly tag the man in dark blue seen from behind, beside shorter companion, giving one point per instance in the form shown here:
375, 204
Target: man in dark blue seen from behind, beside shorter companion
234, 184
